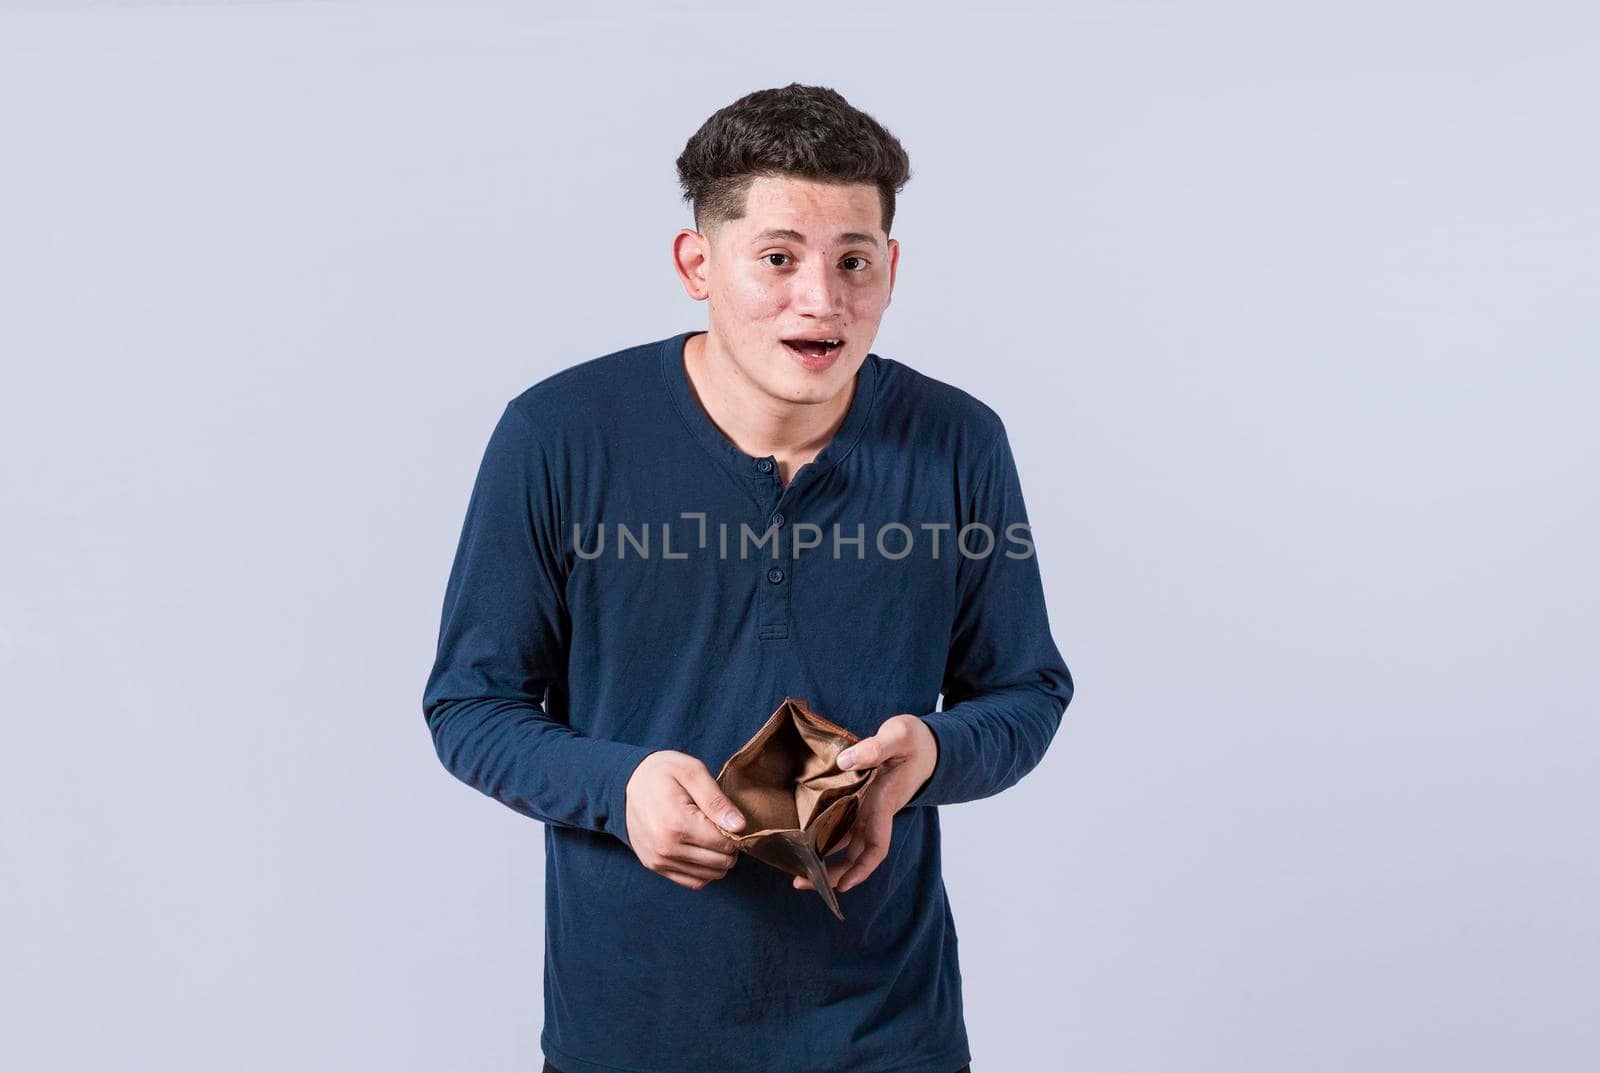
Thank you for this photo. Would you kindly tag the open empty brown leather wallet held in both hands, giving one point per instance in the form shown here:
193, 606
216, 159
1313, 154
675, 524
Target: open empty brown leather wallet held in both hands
798, 804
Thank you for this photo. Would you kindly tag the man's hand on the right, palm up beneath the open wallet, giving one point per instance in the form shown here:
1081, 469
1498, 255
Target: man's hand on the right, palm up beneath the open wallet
906, 754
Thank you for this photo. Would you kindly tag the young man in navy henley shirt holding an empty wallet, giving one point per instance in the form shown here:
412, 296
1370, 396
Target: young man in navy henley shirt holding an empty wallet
663, 544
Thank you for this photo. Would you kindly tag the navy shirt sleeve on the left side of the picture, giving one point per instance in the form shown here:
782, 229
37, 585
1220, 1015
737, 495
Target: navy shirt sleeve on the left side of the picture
503, 639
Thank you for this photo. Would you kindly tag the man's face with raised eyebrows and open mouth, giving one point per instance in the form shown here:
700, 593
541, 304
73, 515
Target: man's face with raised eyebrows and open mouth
806, 261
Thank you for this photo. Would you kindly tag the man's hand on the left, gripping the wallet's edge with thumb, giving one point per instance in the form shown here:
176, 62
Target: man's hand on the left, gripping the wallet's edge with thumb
671, 799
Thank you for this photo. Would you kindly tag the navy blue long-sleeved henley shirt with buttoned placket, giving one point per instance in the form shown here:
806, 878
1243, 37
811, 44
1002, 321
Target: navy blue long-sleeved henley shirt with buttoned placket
630, 581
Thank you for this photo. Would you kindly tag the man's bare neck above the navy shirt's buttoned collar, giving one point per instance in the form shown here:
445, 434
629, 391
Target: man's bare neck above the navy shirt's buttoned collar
753, 420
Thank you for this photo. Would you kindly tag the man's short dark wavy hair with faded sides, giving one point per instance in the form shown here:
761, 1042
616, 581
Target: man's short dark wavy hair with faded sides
807, 132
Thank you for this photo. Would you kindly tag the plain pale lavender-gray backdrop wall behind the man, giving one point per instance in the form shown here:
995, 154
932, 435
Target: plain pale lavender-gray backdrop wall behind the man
1290, 313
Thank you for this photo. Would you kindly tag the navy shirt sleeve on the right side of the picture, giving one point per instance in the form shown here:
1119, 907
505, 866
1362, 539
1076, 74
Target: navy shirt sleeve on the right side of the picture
1006, 685
